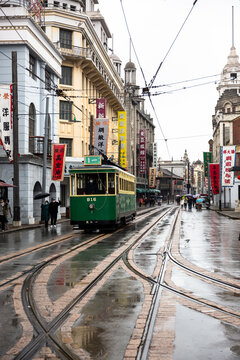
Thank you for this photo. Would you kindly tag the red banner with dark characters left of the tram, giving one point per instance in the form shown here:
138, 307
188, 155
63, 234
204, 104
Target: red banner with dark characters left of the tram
58, 161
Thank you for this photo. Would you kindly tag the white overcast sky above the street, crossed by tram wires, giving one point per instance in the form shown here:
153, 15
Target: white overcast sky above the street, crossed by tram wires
201, 50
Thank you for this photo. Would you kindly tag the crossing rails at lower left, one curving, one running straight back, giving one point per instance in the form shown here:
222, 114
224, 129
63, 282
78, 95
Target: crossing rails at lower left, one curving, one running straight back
45, 332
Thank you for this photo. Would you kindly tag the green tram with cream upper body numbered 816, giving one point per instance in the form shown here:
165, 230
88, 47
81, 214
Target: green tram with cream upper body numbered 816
101, 197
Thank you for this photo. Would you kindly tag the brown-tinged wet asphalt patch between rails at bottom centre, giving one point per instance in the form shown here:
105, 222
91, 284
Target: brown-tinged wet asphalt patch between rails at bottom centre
106, 323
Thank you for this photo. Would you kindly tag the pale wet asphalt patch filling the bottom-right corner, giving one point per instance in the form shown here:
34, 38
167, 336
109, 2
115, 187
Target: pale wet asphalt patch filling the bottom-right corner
204, 337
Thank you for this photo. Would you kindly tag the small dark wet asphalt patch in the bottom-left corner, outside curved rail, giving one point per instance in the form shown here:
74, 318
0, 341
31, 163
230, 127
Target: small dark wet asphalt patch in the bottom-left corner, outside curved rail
10, 326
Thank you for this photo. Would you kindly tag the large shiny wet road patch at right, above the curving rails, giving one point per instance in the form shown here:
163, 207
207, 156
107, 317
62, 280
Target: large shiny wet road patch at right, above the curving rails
211, 241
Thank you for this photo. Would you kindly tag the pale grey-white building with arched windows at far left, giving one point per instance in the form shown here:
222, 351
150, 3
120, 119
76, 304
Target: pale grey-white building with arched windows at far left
38, 71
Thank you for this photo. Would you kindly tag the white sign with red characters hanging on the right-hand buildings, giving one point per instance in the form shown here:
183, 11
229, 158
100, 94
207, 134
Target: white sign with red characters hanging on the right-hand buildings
228, 160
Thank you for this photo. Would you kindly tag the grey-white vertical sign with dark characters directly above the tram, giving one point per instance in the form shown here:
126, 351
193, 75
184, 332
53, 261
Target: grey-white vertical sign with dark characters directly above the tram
100, 136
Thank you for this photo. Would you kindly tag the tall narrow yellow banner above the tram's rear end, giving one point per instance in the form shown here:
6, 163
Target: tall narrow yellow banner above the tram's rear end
122, 137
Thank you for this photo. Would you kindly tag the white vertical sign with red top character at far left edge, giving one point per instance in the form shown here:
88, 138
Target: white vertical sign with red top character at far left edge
6, 126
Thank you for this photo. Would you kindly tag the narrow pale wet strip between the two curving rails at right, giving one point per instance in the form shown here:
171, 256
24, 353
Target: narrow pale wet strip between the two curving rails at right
204, 290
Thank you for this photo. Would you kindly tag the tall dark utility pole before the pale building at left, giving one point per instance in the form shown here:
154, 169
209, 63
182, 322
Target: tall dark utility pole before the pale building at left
16, 202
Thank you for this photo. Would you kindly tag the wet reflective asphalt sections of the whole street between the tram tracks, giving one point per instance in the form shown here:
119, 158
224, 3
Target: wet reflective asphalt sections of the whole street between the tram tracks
208, 240
